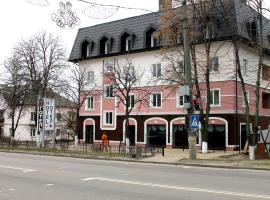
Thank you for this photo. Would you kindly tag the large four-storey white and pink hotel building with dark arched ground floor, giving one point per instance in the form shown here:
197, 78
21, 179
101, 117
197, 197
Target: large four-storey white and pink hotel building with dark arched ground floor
160, 121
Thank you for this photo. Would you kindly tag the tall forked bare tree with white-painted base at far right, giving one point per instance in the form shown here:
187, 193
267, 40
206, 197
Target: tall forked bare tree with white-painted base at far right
256, 31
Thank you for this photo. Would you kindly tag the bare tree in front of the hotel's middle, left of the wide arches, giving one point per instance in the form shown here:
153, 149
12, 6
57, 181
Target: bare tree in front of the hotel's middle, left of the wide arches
126, 79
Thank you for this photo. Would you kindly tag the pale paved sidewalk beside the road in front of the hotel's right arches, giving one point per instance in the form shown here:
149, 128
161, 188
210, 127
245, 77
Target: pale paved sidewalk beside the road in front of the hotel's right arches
221, 159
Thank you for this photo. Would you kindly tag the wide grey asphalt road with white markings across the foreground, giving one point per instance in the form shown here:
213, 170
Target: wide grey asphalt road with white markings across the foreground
31, 177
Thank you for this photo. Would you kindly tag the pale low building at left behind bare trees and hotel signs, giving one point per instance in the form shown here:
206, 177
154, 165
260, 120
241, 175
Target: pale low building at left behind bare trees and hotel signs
27, 125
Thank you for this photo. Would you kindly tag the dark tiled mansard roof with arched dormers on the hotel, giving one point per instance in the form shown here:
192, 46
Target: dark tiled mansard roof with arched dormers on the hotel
239, 13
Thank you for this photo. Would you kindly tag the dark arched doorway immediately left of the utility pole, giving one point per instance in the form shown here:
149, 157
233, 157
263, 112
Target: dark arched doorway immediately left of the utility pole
180, 136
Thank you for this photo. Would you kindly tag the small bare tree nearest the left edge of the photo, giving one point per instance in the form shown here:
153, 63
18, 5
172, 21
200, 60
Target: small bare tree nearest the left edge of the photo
14, 92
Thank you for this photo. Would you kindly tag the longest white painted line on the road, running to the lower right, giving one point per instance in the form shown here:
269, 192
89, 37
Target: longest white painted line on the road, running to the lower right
179, 187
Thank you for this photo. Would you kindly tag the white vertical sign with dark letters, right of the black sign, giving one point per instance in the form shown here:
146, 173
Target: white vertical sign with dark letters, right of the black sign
49, 110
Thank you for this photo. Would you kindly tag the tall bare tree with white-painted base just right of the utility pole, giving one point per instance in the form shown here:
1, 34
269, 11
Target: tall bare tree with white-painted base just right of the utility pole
203, 17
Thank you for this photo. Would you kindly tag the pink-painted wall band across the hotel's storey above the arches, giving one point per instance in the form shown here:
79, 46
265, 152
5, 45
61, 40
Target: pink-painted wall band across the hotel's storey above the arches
227, 103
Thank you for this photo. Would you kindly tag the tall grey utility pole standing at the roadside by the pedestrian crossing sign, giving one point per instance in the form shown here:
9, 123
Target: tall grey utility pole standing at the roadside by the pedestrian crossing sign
188, 83
